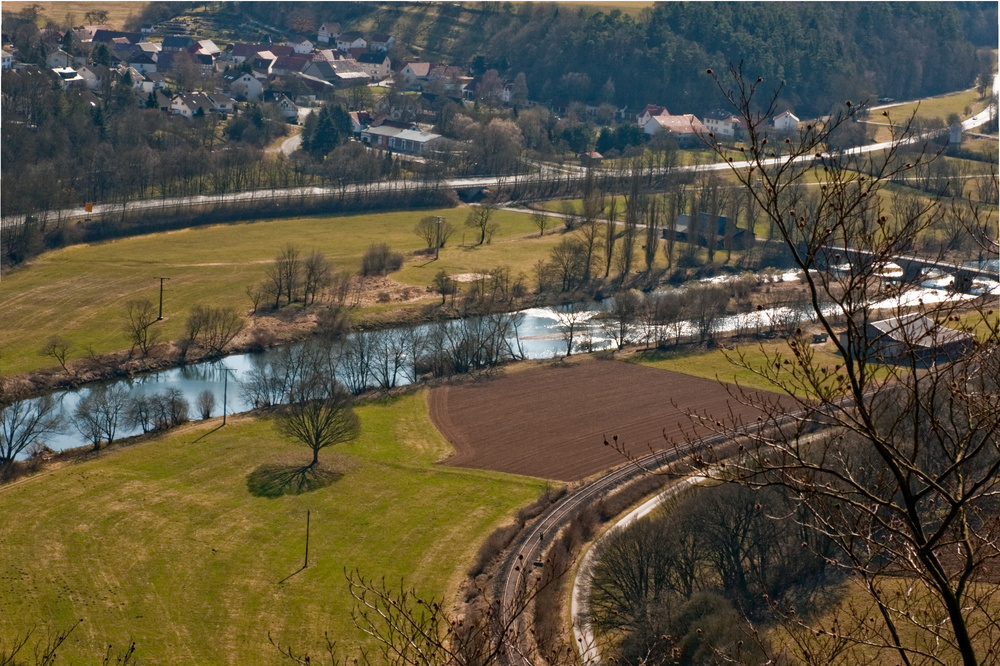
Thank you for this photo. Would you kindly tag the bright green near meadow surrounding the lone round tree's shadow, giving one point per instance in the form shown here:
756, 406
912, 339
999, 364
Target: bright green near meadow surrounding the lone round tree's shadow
164, 544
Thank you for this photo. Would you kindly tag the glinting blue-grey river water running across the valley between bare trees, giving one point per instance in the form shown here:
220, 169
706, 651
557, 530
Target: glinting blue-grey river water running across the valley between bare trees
535, 333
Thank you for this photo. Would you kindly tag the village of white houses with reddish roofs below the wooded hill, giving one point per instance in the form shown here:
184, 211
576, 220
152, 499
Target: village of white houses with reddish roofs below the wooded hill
183, 75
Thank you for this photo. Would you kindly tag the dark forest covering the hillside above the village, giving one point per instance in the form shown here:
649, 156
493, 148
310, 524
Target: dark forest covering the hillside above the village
824, 52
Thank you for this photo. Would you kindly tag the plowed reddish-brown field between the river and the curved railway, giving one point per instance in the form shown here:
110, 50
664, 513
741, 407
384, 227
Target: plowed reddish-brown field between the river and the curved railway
551, 422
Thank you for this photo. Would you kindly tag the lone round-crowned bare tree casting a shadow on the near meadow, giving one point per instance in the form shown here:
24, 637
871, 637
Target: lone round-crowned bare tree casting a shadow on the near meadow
320, 414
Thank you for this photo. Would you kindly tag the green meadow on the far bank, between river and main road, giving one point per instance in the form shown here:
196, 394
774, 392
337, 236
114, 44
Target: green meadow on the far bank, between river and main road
79, 292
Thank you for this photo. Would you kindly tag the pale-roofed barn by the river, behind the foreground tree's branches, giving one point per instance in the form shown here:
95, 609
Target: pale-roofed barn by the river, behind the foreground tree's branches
909, 337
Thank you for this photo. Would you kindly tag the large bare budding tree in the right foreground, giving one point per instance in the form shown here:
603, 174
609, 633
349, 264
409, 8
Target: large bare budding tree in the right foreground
903, 473
